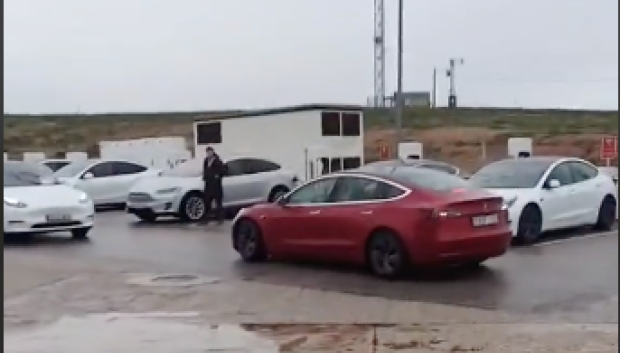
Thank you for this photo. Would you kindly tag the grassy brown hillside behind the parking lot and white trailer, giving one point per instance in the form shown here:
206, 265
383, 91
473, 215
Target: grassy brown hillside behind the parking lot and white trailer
451, 135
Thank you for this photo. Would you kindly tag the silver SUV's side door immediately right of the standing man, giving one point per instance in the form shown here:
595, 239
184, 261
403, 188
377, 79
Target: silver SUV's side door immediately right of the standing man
238, 184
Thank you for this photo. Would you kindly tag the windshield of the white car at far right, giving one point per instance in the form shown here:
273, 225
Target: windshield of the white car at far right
511, 174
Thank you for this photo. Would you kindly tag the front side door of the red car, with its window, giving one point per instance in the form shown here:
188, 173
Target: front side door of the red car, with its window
299, 221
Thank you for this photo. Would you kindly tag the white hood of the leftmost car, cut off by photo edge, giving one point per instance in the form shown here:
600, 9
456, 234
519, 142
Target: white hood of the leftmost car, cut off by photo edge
53, 195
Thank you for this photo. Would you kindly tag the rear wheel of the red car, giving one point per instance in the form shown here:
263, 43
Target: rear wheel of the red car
386, 255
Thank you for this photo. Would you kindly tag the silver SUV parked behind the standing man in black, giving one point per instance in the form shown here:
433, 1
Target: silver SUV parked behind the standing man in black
178, 192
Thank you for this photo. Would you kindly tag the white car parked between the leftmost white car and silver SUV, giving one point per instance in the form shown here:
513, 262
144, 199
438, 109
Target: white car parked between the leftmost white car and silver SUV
107, 182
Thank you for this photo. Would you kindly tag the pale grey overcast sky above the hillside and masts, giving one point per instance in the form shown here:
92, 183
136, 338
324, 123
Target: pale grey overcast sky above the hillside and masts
153, 55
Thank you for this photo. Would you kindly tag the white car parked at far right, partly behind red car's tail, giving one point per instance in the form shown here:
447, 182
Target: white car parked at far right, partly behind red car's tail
551, 193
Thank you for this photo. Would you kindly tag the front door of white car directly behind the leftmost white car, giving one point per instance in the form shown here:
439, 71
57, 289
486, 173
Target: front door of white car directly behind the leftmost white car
100, 186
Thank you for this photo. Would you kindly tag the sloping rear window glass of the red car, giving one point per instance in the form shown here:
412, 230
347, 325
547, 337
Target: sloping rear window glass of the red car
429, 179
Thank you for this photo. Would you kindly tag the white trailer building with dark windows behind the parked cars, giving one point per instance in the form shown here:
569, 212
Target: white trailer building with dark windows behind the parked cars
311, 140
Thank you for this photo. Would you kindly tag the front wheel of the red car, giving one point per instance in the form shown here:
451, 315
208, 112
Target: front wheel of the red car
248, 241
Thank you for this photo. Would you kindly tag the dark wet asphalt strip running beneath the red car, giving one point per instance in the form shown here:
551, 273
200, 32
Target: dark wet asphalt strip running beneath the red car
574, 272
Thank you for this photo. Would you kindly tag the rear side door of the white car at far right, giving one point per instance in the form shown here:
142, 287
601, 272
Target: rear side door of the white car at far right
589, 191
